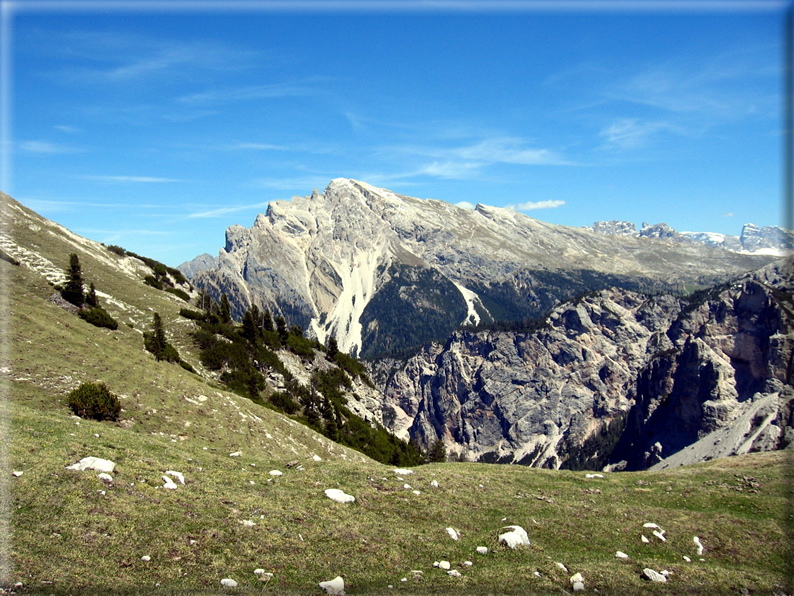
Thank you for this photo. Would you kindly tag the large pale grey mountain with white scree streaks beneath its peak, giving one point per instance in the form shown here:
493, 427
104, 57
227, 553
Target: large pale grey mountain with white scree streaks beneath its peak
384, 273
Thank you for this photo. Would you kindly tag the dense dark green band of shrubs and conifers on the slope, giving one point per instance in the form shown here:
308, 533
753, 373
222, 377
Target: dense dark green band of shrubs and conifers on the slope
244, 353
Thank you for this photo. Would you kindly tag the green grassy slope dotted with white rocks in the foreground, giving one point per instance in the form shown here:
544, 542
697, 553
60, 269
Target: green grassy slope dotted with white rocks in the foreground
253, 497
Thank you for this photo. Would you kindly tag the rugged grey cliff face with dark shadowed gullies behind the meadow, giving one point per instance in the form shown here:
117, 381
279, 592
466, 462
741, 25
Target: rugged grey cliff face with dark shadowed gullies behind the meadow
616, 376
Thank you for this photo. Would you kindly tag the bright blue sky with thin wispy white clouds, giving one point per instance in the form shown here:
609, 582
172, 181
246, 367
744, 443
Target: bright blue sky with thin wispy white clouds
156, 129
